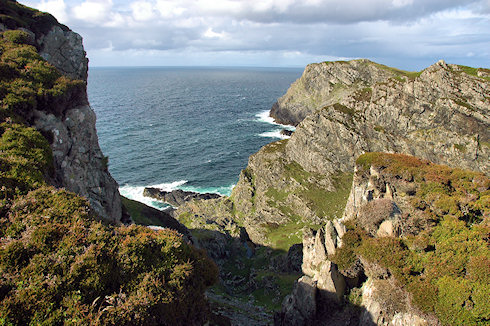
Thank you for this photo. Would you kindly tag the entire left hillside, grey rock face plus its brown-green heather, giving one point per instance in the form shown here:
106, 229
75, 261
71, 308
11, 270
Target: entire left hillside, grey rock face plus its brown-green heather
65, 255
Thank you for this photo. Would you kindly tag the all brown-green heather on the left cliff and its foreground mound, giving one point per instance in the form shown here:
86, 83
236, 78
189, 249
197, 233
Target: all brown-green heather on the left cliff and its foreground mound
58, 263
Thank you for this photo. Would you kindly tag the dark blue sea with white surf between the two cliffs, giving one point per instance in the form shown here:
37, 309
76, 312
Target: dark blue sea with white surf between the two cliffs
186, 128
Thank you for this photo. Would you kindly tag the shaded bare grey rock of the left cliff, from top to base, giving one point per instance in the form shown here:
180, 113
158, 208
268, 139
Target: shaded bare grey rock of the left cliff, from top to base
67, 122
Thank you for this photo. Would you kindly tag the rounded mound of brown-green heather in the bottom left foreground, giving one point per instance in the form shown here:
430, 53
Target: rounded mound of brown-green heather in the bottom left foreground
64, 264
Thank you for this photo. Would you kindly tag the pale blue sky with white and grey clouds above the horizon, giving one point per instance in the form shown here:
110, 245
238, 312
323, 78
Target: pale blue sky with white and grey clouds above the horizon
407, 34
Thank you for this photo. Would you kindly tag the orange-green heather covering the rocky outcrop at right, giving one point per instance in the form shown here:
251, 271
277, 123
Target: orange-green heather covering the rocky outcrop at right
446, 265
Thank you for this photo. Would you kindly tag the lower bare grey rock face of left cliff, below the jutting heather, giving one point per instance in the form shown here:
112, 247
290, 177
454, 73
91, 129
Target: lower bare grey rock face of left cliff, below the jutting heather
79, 163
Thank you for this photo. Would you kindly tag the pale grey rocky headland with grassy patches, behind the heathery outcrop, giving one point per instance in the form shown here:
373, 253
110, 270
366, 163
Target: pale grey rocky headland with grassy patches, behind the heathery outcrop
440, 114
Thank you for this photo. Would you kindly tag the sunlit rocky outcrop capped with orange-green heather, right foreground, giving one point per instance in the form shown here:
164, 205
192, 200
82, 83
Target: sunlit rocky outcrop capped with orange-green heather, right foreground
415, 232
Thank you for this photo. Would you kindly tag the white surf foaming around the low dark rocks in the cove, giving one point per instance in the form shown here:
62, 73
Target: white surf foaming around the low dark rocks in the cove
136, 192
